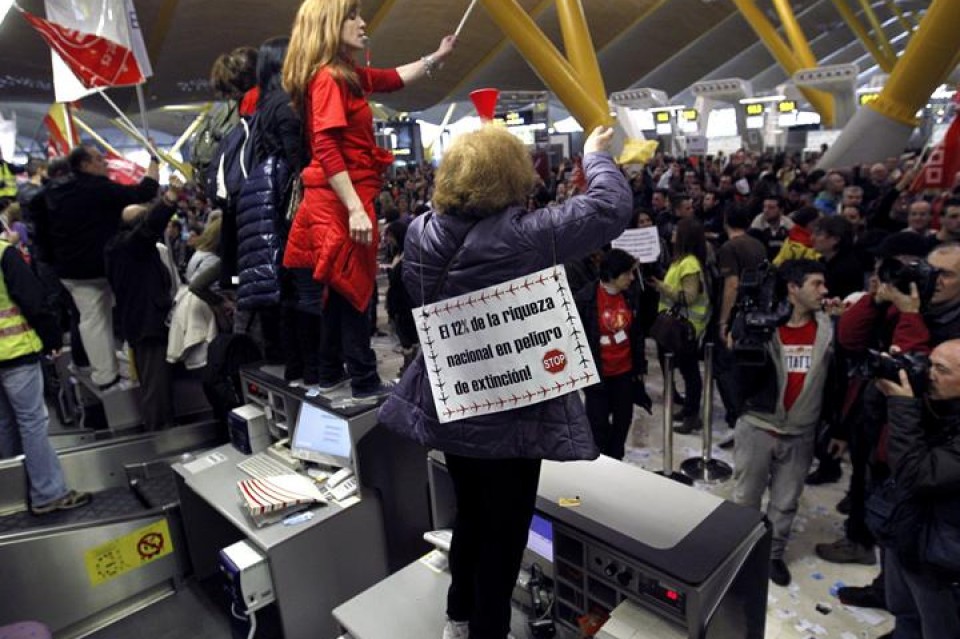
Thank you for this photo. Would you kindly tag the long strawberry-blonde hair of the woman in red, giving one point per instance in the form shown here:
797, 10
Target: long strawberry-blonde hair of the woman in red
315, 44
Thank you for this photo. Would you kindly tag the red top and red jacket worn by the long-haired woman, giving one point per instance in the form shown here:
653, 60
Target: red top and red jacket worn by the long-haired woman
320, 238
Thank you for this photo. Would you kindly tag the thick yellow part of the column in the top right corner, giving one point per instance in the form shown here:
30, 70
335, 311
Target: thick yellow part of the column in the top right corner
929, 58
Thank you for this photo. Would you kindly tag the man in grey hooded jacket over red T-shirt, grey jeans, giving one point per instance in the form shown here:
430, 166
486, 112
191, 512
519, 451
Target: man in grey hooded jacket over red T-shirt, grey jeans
784, 399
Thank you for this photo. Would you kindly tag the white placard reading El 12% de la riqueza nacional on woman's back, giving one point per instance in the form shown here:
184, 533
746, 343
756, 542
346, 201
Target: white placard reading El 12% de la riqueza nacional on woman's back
514, 344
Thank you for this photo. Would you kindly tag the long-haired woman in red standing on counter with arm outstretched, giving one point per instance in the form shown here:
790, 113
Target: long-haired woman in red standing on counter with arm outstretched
334, 233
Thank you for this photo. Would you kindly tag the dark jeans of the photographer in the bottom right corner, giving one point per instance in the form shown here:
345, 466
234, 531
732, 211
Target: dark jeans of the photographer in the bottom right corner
926, 606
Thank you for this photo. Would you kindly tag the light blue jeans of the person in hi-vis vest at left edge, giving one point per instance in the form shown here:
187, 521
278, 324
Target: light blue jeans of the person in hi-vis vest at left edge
23, 416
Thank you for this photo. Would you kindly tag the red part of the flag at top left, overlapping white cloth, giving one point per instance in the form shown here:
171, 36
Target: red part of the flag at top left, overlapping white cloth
95, 60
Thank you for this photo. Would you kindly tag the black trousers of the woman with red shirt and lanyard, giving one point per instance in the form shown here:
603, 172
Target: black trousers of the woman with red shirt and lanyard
609, 406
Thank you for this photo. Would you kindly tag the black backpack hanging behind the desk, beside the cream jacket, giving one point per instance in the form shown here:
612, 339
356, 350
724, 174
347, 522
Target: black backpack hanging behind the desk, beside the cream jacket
227, 353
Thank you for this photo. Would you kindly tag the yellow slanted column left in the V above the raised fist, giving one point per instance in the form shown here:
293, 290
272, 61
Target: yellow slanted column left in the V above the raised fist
558, 74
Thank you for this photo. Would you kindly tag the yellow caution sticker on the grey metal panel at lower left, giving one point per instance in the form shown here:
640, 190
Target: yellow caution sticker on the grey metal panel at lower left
129, 552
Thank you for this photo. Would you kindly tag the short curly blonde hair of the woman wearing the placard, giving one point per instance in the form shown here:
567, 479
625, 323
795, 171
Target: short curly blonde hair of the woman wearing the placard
483, 173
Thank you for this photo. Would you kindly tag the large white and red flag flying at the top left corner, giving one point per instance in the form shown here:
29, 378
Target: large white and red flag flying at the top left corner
94, 45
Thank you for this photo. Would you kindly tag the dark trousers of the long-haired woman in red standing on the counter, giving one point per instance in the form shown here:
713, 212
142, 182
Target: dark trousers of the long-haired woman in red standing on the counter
345, 338
